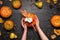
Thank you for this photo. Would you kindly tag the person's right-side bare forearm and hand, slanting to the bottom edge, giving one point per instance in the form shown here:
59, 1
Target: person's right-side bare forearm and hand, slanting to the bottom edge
41, 33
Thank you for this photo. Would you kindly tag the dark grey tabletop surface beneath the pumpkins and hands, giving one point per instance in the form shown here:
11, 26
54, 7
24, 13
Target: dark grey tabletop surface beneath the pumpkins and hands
43, 14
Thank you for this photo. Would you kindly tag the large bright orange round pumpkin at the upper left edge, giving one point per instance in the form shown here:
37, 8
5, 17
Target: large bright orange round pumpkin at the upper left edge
6, 11
